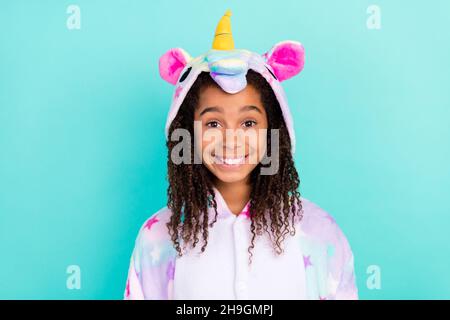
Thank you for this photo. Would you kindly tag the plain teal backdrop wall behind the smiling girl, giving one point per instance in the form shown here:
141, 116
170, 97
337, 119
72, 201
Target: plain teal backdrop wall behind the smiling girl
82, 150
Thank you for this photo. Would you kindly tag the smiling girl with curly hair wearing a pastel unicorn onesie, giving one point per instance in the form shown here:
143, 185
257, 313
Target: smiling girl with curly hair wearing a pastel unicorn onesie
235, 226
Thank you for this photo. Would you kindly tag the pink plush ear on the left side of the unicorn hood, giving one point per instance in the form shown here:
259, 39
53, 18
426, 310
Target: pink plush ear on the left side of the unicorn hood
172, 63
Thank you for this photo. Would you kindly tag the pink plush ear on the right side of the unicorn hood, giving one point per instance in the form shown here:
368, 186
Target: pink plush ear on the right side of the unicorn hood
286, 59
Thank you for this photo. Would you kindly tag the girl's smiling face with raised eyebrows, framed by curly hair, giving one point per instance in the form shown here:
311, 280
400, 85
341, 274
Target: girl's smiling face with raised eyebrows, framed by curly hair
233, 132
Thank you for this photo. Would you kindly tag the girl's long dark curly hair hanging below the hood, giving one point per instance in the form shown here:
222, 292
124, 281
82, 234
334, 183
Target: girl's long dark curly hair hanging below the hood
273, 198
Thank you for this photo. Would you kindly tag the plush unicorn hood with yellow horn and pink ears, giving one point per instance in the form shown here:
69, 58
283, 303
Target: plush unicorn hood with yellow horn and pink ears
228, 67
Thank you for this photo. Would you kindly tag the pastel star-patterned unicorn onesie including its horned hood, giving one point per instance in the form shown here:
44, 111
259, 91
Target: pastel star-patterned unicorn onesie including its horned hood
317, 262
